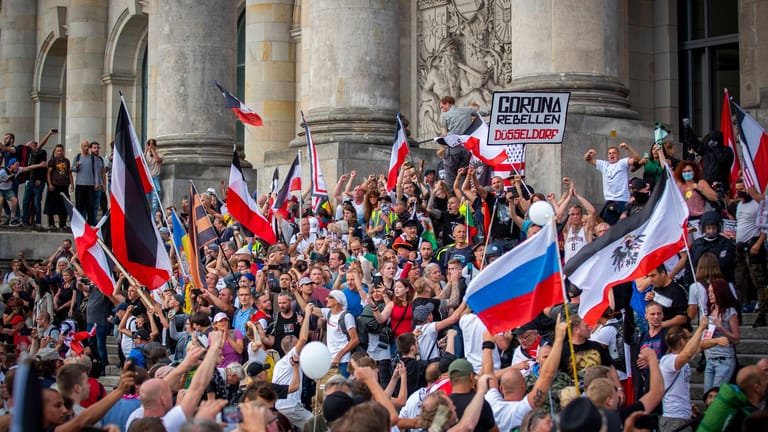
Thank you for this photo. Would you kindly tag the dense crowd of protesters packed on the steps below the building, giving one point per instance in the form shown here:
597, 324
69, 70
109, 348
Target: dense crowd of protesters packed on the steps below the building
379, 277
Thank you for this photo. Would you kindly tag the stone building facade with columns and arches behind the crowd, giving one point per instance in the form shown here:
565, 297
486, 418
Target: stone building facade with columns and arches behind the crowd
351, 65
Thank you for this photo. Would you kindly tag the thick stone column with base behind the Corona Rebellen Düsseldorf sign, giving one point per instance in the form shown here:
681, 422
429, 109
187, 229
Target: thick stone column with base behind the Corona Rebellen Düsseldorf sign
580, 48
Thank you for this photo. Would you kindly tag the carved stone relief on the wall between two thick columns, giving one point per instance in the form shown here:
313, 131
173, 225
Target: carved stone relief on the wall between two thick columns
464, 50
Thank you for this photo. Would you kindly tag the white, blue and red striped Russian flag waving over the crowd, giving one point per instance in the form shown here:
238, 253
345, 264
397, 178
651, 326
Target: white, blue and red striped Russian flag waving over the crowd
515, 288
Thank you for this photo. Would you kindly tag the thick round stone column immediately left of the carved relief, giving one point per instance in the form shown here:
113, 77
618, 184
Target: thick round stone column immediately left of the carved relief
352, 59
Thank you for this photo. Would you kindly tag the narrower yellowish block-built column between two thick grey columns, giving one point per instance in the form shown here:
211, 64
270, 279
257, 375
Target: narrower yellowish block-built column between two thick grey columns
270, 75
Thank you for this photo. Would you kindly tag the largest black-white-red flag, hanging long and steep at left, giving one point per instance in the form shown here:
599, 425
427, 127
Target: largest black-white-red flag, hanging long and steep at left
135, 239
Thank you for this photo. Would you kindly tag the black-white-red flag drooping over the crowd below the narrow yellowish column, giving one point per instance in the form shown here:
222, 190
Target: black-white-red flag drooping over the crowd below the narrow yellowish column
243, 208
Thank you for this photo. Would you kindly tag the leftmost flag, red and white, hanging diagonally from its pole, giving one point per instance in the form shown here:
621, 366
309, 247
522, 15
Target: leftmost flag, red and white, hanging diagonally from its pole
92, 257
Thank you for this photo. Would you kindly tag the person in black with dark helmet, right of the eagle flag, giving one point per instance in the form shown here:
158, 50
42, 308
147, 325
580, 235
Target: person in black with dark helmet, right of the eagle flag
713, 241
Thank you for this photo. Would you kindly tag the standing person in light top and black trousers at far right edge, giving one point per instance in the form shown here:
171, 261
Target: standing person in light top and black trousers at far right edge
750, 271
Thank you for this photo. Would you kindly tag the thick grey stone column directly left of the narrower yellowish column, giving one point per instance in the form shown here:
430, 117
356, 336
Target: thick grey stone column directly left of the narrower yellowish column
191, 44
